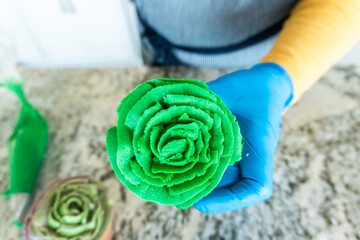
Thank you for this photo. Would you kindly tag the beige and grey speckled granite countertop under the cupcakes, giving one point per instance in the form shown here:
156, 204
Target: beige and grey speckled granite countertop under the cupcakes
317, 164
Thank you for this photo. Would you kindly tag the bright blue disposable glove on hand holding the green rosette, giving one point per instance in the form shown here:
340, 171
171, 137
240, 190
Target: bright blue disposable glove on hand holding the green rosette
257, 97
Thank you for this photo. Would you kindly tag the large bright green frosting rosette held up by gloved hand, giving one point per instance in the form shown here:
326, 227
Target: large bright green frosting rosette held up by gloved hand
173, 141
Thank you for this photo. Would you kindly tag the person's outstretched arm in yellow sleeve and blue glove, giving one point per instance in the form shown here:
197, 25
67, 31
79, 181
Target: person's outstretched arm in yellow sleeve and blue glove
316, 35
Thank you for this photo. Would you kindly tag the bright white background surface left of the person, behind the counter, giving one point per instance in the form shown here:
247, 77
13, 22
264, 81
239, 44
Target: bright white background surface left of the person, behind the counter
68, 33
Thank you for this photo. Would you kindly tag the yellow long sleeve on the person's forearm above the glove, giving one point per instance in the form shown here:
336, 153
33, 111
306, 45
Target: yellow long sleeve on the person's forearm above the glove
317, 34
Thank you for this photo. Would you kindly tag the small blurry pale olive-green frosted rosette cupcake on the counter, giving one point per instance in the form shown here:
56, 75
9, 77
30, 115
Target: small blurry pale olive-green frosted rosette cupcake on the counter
73, 208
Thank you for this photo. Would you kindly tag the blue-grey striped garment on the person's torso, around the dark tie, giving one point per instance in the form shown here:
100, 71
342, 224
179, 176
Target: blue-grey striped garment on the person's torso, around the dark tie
215, 23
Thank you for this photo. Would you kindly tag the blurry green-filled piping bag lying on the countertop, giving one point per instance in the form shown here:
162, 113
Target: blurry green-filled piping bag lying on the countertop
27, 146
